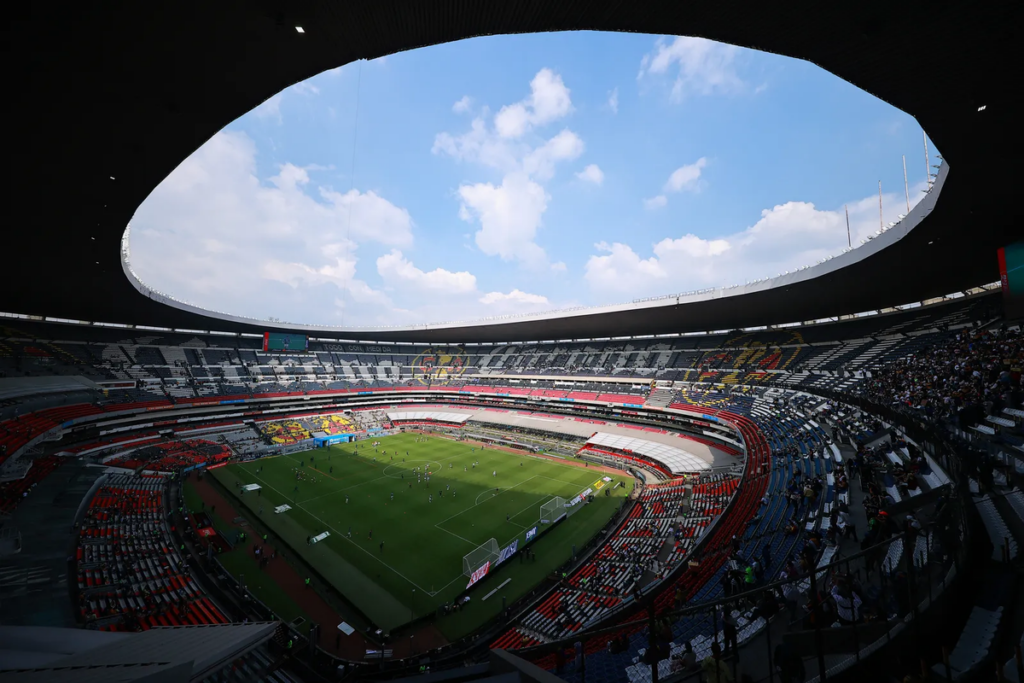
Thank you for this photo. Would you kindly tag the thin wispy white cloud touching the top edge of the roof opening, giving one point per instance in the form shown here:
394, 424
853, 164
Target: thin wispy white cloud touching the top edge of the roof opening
701, 67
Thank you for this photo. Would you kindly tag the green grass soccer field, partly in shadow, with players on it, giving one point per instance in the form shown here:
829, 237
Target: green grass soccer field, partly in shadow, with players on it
363, 499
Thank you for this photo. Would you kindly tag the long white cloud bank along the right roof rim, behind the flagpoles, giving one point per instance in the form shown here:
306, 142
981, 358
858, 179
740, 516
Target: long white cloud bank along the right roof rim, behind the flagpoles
784, 239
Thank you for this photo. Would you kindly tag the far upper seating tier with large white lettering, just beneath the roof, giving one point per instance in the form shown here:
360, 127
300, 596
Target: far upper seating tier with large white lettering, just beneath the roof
174, 367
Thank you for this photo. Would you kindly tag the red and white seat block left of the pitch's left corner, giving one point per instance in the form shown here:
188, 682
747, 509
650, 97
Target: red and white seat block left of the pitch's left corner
130, 574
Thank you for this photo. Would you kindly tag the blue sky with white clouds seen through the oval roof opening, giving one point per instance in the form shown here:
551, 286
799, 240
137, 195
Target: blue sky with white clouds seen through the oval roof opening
525, 174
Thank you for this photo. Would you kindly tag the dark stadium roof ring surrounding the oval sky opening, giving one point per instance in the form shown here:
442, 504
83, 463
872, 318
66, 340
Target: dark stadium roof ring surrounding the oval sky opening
108, 99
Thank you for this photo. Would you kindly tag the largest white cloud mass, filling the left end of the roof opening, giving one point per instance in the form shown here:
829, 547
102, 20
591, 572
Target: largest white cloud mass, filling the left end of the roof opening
214, 234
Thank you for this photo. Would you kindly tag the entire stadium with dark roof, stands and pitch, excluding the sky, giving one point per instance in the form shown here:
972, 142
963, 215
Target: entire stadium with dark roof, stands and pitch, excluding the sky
807, 478
